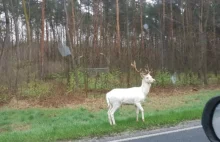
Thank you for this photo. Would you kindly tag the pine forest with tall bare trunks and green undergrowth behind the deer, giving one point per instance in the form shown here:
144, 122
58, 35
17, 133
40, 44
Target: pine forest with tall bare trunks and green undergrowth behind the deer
90, 44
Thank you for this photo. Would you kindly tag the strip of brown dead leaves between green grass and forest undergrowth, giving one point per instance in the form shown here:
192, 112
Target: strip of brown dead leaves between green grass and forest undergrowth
97, 101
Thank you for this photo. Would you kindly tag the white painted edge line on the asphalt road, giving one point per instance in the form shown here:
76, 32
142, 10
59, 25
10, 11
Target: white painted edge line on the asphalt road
158, 134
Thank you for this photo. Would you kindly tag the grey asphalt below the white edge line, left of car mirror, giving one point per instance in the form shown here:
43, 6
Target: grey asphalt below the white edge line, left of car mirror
193, 135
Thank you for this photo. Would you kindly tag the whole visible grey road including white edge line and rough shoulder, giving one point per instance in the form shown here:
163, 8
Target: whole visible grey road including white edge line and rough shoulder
185, 132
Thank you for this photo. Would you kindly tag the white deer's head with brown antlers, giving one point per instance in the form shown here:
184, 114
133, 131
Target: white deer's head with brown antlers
145, 75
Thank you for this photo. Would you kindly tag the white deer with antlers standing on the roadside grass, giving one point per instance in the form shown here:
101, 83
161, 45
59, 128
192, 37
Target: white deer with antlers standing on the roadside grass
132, 96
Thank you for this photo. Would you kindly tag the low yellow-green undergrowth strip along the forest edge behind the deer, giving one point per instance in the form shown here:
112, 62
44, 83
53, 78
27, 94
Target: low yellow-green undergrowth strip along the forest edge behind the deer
103, 81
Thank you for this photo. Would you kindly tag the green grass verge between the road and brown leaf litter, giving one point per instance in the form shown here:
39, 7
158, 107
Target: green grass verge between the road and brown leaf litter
67, 124
